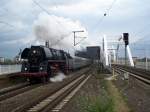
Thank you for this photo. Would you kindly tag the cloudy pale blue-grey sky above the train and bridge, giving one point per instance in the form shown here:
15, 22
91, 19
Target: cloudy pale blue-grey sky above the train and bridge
20, 19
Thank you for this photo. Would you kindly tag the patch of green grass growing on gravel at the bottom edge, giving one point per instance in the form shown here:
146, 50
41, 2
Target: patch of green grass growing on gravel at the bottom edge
96, 104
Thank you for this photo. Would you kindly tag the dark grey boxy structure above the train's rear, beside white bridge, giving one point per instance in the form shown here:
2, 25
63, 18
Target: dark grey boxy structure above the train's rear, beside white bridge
93, 52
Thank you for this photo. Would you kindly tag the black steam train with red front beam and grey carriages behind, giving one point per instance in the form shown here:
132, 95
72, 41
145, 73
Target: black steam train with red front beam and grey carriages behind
41, 63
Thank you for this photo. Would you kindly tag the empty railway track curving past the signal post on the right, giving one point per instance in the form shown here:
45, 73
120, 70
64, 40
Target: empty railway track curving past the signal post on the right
140, 74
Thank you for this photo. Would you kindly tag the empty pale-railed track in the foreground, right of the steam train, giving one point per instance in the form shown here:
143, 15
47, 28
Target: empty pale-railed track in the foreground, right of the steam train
56, 101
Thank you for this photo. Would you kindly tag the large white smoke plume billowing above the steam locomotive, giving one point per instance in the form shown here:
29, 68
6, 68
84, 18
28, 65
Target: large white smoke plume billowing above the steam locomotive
57, 30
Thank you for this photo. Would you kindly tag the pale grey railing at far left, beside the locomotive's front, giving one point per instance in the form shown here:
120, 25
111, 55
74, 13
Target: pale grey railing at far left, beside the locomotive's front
8, 69
